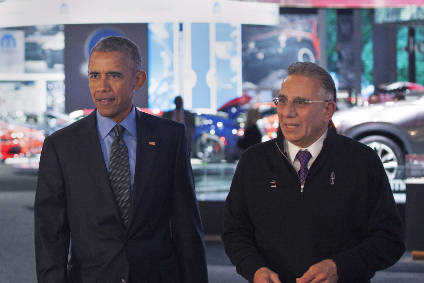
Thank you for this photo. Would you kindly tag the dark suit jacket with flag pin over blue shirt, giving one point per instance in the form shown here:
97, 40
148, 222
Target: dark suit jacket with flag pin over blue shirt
76, 211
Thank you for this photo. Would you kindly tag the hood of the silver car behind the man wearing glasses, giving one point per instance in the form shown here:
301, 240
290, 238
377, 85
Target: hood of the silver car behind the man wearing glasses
389, 112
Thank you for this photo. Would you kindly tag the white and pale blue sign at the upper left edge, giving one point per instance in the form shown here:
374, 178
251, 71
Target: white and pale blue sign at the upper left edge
12, 51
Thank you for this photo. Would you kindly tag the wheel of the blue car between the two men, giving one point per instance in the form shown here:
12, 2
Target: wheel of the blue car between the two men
209, 148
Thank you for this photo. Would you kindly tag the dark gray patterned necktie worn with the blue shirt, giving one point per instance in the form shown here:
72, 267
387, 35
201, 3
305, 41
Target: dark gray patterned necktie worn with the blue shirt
119, 173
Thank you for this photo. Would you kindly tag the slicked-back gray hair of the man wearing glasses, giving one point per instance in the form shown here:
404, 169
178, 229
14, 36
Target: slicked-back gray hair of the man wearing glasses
312, 70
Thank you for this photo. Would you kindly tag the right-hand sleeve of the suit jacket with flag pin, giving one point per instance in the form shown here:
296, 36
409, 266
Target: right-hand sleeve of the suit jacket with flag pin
187, 228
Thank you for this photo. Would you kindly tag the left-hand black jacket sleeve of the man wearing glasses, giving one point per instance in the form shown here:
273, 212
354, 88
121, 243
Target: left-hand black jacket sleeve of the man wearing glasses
238, 233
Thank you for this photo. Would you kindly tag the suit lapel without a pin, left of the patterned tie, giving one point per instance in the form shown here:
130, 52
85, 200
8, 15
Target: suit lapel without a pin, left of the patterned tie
91, 154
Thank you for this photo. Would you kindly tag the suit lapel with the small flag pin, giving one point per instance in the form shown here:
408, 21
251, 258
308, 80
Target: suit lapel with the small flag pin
147, 146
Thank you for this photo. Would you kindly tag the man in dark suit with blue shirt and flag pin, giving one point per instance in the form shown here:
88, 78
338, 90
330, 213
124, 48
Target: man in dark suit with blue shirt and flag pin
115, 198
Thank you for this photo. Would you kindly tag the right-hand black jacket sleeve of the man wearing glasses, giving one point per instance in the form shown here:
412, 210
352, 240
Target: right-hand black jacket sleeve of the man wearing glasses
383, 243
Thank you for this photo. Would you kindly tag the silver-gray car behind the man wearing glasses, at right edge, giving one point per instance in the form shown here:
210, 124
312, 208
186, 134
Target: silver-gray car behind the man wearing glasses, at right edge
392, 129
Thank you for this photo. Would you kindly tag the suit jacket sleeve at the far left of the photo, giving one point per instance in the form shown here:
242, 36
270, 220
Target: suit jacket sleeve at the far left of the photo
50, 223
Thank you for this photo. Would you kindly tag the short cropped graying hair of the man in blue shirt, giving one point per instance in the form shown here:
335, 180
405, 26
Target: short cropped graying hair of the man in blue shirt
119, 44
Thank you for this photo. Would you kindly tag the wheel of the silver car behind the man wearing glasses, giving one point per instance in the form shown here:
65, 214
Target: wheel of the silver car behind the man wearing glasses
390, 153
